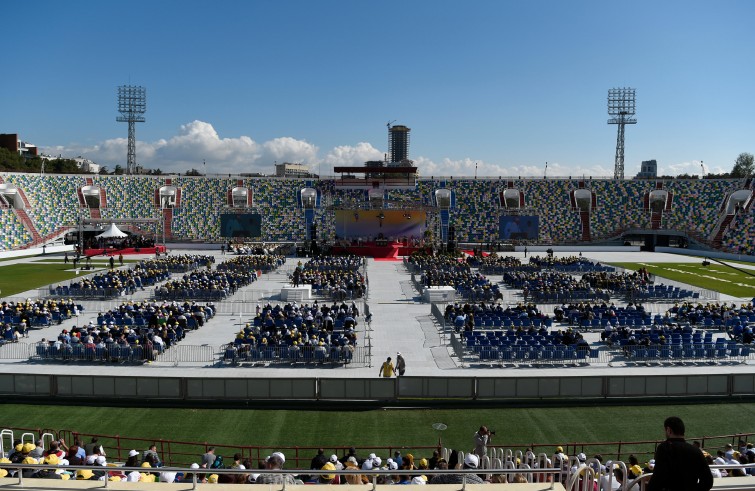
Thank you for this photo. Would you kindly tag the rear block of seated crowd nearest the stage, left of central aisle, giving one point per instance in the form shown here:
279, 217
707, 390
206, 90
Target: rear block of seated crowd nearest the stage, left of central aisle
337, 277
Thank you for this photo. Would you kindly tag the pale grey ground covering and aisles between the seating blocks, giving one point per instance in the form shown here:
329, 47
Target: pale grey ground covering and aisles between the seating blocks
401, 322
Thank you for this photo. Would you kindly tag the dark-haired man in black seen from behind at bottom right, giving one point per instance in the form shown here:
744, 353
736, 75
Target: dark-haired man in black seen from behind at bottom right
678, 464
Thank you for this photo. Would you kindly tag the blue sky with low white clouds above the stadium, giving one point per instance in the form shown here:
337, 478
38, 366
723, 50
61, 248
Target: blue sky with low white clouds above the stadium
497, 88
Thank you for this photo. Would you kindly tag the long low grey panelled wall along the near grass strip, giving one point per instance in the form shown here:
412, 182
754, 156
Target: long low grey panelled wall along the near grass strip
195, 389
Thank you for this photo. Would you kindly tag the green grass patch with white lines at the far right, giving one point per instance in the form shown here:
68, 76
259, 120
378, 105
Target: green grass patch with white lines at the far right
714, 277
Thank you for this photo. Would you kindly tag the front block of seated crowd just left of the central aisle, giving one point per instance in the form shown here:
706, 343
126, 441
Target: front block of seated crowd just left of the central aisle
295, 332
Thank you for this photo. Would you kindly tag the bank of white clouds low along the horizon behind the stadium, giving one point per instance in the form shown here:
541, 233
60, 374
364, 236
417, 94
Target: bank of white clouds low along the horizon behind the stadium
198, 141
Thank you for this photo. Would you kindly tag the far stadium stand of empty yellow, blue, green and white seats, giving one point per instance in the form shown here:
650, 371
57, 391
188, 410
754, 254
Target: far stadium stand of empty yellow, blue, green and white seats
54, 203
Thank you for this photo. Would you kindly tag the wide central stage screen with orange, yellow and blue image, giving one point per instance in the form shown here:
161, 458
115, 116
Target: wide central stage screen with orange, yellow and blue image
369, 224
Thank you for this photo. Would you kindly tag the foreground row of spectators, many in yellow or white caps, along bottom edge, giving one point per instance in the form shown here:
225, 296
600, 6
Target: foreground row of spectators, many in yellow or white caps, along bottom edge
389, 469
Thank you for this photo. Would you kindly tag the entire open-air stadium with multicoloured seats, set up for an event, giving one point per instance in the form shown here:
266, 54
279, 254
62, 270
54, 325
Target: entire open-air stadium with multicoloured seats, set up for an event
499, 293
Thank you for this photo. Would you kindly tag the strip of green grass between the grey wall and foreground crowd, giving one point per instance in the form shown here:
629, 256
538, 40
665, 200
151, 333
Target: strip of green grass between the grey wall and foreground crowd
388, 428
